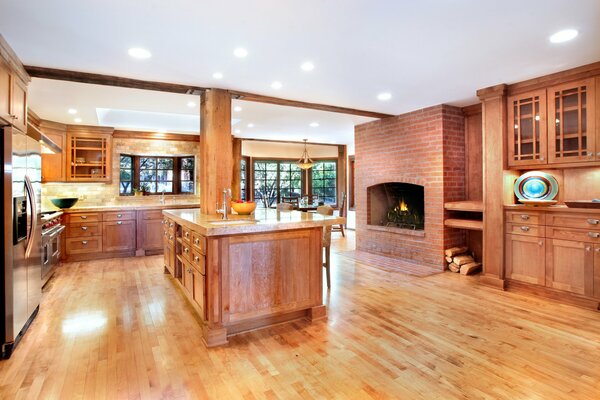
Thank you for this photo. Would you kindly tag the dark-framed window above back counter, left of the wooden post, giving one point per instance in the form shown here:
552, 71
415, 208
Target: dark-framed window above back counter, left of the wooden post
156, 174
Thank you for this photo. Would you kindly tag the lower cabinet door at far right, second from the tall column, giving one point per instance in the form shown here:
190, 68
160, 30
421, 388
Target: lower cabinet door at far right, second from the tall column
570, 266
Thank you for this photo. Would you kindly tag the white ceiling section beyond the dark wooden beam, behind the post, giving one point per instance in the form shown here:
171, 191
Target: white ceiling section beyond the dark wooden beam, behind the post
136, 109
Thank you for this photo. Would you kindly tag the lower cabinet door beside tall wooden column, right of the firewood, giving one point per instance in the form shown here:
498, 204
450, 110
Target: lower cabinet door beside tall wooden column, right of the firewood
525, 259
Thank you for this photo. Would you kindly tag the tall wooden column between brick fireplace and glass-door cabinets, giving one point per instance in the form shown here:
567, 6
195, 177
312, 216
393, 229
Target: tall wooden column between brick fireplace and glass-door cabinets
494, 149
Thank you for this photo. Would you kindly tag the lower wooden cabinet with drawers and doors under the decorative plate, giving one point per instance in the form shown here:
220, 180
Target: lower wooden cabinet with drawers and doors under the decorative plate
558, 250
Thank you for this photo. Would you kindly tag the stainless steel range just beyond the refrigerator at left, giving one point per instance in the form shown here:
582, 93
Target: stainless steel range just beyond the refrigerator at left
51, 244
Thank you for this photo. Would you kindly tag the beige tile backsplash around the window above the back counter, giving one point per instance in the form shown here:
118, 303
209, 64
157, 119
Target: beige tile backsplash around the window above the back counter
96, 194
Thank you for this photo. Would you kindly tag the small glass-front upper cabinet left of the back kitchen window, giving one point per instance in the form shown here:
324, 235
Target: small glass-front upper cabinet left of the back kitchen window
88, 154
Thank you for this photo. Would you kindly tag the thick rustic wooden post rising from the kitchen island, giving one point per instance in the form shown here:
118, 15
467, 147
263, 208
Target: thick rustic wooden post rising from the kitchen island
216, 158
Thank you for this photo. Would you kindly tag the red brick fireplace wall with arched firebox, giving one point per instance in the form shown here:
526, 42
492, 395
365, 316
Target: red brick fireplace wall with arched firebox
421, 149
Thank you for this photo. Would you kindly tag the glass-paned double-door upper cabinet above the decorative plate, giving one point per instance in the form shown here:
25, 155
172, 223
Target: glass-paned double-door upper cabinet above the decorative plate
554, 126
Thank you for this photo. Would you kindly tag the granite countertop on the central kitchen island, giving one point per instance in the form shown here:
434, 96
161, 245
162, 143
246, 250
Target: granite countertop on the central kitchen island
263, 220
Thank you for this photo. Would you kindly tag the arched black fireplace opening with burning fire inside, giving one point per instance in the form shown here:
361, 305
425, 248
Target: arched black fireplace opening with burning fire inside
396, 205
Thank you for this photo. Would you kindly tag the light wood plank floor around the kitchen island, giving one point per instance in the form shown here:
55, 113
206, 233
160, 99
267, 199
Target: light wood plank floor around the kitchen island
119, 329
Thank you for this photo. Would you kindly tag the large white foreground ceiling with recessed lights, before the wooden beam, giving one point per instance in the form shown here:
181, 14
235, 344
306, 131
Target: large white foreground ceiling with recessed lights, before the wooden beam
423, 52
